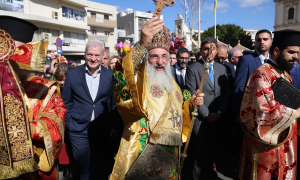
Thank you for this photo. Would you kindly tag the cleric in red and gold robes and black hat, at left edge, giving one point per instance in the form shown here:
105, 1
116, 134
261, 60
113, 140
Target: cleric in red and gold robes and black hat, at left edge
33, 114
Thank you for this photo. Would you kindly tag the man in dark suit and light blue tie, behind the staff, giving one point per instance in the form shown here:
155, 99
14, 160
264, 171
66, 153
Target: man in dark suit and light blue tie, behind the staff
202, 149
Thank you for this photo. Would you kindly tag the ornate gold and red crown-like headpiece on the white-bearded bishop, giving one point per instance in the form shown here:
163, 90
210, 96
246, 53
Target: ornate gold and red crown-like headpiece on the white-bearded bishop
162, 40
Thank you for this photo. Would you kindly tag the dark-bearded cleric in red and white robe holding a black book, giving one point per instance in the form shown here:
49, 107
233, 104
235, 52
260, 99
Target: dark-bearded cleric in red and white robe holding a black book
269, 149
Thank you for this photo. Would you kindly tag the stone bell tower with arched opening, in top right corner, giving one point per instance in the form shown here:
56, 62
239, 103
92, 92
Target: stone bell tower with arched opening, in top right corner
287, 15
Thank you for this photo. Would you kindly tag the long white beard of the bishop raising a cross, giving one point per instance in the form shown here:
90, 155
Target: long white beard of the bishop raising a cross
164, 79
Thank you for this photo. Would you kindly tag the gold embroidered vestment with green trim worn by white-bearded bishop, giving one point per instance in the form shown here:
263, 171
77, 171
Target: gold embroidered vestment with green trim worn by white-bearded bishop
165, 115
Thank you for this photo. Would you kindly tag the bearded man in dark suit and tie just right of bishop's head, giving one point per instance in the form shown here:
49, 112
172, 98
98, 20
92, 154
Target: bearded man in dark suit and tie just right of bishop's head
179, 69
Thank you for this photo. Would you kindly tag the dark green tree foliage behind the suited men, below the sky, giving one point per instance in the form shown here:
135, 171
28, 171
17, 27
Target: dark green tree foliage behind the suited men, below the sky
229, 34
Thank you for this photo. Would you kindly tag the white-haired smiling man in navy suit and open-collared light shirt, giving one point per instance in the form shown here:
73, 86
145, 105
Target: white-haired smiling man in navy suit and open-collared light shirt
91, 114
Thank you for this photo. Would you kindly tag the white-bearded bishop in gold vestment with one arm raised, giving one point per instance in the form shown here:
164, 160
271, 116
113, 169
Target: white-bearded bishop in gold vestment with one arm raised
155, 111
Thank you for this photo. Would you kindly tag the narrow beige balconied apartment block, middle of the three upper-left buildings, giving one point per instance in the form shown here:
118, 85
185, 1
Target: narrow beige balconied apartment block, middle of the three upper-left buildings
102, 20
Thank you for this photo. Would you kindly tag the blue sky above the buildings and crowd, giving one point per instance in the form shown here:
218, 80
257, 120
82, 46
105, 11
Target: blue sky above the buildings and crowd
249, 14
